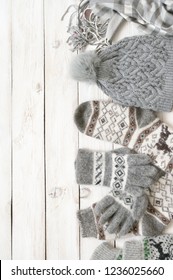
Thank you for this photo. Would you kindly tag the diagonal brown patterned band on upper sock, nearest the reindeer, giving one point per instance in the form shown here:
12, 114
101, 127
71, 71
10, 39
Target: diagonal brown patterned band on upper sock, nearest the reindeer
145, 133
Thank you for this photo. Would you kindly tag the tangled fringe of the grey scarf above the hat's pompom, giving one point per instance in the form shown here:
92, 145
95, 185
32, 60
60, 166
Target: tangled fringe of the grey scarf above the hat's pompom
87, 29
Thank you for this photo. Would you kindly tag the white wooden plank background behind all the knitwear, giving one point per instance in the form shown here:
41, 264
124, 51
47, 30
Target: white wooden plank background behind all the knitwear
38, 139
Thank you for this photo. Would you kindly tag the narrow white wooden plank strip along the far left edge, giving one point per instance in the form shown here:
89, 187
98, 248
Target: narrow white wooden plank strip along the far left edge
5, 129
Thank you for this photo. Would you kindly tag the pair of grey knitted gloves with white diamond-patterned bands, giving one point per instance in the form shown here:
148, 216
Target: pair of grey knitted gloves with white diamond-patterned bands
127, 175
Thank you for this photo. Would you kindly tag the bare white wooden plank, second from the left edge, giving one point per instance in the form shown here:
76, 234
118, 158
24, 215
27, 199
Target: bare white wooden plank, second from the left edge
28, 231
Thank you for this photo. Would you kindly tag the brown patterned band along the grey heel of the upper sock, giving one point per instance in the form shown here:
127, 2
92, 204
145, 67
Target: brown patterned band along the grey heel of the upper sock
132, 126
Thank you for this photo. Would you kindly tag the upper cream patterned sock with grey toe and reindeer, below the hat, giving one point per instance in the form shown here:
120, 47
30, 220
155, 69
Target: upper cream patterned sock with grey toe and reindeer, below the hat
135, 128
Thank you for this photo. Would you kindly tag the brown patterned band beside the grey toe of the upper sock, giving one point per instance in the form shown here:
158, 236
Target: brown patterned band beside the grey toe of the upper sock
94, 117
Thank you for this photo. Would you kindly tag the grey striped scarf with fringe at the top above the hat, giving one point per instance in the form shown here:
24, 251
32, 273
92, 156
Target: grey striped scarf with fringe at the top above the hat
96, 22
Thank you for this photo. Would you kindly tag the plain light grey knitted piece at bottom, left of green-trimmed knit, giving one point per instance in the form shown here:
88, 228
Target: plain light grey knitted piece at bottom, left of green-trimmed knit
106, 252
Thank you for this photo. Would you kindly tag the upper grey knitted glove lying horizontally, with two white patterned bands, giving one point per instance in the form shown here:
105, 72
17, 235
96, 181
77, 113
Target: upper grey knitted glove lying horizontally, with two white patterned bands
116, 169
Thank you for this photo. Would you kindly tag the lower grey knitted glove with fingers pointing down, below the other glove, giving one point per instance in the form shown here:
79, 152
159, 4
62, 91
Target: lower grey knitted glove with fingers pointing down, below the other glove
112, 215
